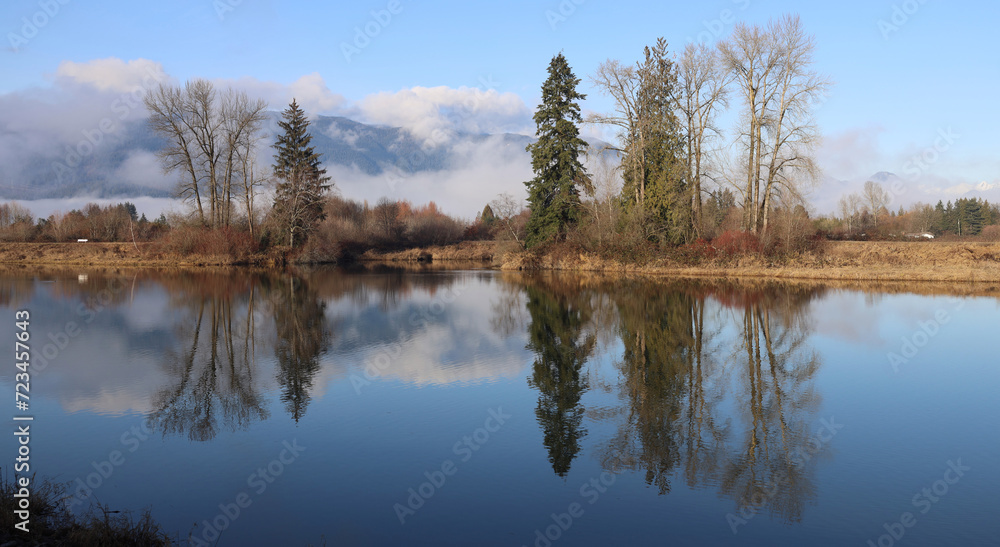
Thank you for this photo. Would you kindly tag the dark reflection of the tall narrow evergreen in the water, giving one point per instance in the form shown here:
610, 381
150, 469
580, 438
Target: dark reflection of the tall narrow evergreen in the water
555, 330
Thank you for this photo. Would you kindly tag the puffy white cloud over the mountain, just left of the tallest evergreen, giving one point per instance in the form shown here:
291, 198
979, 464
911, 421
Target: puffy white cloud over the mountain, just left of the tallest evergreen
435, 114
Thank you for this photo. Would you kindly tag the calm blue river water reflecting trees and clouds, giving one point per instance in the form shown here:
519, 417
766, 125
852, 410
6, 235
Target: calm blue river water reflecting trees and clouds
487, 408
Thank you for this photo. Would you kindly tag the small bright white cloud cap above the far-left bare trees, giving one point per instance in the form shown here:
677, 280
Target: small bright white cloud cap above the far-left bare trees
112, 74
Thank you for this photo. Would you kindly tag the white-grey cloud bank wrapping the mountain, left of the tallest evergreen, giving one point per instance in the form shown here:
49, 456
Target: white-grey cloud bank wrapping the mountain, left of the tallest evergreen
44, 126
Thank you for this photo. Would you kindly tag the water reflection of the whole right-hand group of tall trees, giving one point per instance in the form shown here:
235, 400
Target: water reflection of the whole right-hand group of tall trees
715, 383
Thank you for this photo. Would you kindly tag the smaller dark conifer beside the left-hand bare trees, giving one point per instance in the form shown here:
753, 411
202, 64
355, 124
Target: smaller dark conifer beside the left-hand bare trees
301, 182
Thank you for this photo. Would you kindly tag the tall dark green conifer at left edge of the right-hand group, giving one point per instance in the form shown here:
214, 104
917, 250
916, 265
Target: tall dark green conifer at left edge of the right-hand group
553, 196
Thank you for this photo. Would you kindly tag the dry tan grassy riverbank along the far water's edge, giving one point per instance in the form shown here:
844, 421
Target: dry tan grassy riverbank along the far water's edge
878, 261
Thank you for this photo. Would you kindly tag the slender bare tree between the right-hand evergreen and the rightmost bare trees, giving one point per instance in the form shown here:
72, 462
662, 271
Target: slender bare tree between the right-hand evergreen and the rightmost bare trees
703, 89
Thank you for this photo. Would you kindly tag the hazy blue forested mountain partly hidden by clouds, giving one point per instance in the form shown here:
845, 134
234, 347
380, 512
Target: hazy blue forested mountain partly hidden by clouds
124, 164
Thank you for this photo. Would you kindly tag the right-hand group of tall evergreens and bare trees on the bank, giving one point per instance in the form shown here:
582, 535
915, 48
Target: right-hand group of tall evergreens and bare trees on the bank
671, 149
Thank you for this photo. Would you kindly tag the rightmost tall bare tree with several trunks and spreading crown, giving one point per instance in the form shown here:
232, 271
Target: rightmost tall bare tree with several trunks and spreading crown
771, 68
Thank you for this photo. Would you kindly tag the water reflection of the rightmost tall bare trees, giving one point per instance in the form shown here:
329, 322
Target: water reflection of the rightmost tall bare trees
778, 402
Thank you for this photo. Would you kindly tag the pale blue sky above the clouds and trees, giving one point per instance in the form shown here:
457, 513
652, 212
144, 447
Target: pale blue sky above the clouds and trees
914, 81
